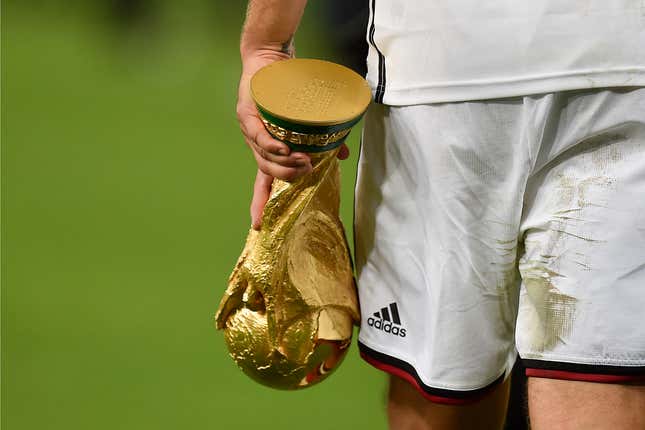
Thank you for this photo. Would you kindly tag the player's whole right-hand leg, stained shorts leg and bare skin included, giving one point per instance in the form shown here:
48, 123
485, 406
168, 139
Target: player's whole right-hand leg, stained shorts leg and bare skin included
579, 328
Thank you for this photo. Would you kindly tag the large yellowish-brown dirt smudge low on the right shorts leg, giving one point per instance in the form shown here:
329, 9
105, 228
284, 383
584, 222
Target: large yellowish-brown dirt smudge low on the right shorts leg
553, 312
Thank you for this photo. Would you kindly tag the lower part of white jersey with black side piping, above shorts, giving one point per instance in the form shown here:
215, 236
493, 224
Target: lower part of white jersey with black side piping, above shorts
431, 51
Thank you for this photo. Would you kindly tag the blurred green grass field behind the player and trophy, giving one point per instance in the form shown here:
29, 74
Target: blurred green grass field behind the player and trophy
125, 205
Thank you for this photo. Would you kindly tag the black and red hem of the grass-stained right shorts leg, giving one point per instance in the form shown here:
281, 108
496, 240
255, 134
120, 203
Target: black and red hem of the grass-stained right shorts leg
584, 372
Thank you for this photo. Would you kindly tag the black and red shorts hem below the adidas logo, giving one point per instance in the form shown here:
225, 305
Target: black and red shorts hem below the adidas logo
407, 372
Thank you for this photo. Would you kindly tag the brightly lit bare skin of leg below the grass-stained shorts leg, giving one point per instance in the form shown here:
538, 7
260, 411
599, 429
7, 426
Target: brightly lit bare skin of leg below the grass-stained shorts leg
562, 405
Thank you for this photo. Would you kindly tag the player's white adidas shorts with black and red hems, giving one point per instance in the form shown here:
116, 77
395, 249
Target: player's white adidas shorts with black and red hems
490, 227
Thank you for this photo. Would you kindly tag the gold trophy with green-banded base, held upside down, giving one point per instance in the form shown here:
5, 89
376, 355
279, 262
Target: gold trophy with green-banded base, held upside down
290, 306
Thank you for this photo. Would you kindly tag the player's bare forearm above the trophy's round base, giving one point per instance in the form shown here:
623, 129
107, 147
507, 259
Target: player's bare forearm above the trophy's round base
270, 26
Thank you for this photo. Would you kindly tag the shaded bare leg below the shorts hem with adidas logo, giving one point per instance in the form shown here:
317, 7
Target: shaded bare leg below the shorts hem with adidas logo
409, 410
